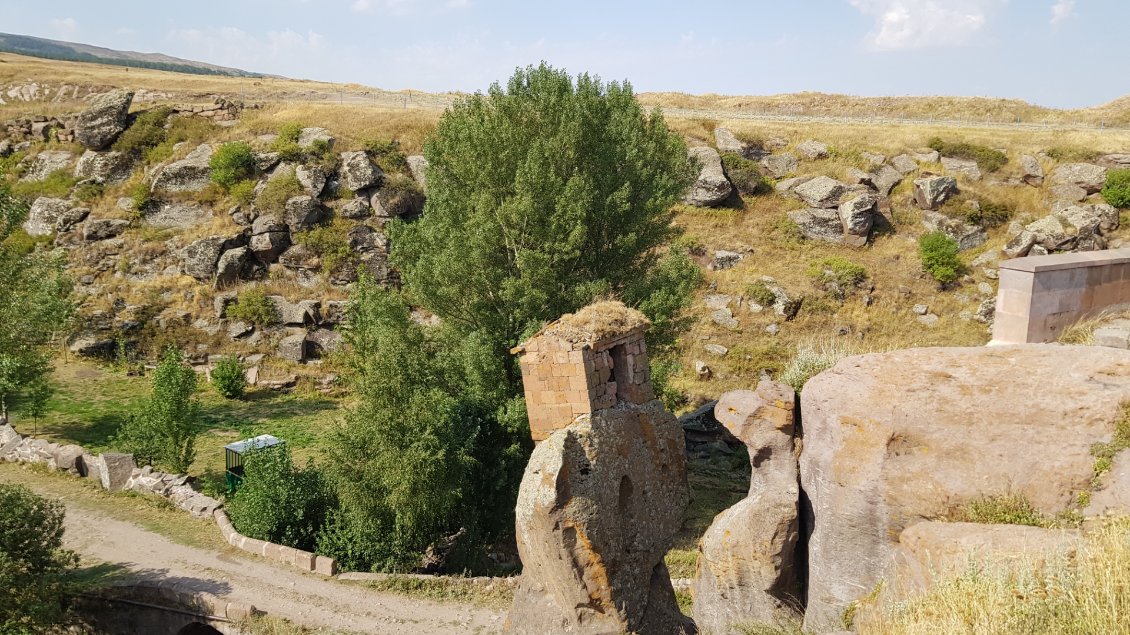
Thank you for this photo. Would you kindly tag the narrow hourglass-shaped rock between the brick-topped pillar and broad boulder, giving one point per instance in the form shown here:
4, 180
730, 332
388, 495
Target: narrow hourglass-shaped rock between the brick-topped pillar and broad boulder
746, 569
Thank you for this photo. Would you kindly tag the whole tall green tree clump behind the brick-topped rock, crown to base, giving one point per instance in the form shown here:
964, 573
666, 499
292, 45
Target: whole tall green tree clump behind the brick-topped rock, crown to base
542, 197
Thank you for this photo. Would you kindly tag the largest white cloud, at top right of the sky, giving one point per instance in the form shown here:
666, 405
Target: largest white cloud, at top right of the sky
920, 24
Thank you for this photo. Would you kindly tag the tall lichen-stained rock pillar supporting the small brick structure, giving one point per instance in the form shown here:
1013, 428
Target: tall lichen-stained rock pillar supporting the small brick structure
598, 509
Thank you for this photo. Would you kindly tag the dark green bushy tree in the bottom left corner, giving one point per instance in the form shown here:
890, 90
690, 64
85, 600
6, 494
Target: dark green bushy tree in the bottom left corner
36, 588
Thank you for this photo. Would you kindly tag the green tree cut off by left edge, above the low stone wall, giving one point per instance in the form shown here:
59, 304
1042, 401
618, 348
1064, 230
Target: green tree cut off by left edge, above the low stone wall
36, 303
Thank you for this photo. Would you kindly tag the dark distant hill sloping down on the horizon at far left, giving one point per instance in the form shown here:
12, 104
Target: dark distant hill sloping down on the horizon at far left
75, 53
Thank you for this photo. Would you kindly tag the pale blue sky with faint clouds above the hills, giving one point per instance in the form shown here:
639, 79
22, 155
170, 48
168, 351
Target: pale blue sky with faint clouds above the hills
1063, 54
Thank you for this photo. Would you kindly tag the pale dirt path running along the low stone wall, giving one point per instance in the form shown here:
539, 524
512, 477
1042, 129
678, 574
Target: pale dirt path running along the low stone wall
302, 598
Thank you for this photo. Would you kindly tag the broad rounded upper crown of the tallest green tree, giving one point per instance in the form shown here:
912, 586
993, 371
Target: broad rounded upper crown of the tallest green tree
542, 197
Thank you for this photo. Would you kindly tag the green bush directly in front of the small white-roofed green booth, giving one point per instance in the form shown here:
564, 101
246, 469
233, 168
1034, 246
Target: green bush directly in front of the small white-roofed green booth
279, 502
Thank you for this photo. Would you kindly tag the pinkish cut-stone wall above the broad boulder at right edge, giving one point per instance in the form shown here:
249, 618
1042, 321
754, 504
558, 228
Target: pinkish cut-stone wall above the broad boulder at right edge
1042, 295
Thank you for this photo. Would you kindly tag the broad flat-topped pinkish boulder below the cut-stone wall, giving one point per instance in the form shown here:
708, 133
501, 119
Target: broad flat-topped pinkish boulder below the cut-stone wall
960, 424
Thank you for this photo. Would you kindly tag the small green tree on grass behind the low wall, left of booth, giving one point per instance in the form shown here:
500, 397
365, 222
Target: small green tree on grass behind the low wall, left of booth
164, 431
